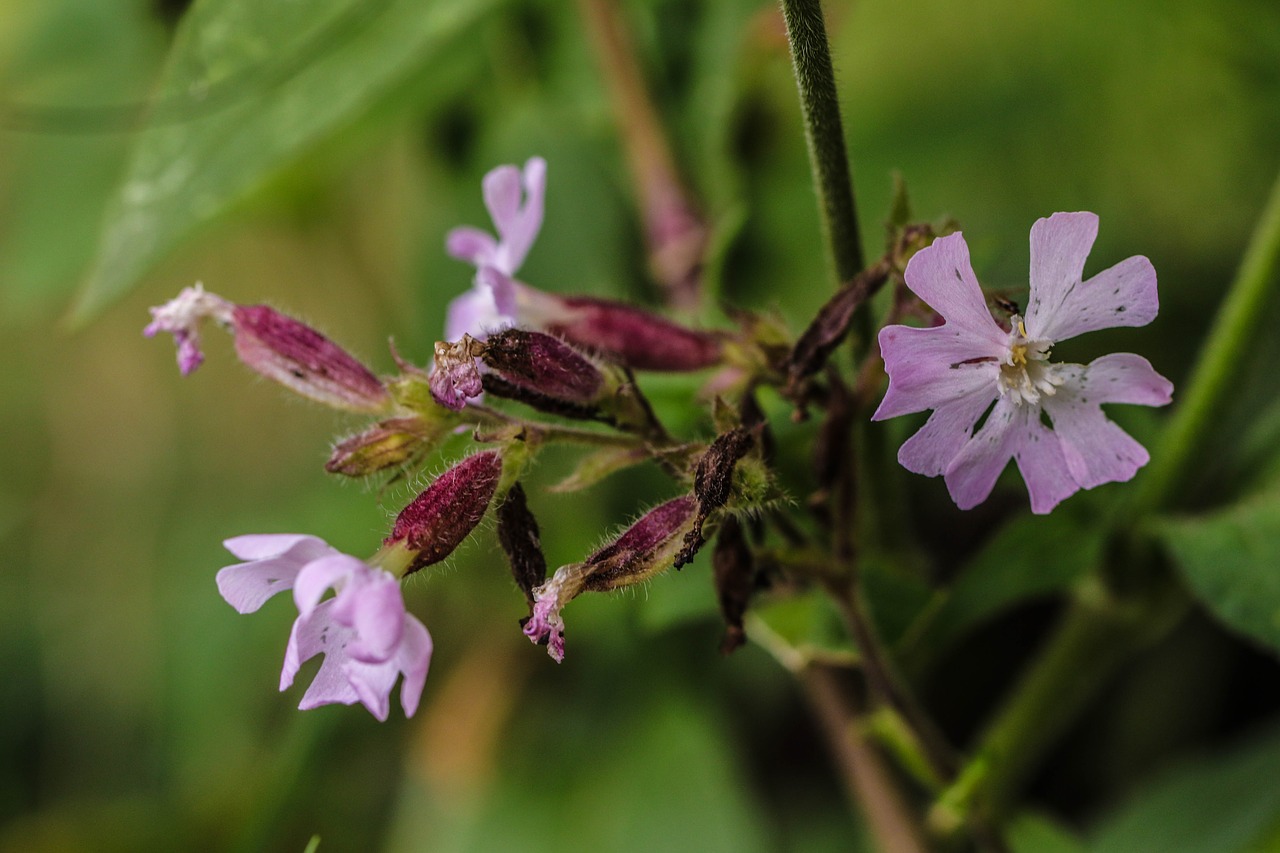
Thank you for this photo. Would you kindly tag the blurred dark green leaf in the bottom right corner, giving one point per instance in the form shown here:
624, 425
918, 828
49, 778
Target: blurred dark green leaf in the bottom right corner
1214, 805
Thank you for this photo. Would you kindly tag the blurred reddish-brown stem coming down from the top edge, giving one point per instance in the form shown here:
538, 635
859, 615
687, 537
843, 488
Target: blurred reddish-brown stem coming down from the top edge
675, 232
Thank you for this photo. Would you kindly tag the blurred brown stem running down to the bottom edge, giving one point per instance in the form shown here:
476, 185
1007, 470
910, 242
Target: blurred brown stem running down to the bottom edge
870, 786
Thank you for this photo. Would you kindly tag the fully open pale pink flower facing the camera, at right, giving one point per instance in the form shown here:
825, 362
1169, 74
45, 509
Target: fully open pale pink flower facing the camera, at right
995, 394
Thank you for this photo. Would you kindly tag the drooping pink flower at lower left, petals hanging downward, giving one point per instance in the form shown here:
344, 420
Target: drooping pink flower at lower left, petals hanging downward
368, 638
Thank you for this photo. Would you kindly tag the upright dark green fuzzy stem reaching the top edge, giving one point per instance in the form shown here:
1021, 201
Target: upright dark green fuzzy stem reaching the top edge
811, 57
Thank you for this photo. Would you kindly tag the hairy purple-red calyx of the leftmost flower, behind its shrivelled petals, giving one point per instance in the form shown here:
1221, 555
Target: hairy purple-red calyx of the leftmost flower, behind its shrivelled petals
304, 361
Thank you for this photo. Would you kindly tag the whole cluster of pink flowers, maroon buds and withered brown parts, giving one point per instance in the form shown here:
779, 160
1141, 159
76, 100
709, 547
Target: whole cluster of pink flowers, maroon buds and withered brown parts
994, 391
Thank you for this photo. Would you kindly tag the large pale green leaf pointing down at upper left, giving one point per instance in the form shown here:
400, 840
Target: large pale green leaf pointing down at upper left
249, 90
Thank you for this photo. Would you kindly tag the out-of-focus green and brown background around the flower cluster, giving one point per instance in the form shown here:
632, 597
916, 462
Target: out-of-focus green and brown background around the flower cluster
313, 156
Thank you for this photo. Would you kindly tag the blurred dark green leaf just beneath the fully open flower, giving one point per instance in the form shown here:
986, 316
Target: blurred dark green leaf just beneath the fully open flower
1032, 556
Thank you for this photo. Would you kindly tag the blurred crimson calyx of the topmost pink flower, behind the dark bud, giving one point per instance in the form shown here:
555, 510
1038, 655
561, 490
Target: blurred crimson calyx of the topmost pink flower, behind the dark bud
633, 336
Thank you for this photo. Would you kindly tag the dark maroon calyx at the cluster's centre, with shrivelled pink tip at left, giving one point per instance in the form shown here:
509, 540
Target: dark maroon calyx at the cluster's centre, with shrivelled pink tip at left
543, 364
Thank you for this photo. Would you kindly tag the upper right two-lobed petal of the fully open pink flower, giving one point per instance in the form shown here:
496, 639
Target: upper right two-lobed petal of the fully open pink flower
1062, 304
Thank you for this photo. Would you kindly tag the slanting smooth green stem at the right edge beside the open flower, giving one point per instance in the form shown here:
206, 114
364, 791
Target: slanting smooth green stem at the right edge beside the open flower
1212, 381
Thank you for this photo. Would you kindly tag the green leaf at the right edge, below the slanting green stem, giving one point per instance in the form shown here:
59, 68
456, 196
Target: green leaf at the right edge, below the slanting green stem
1231, 562
